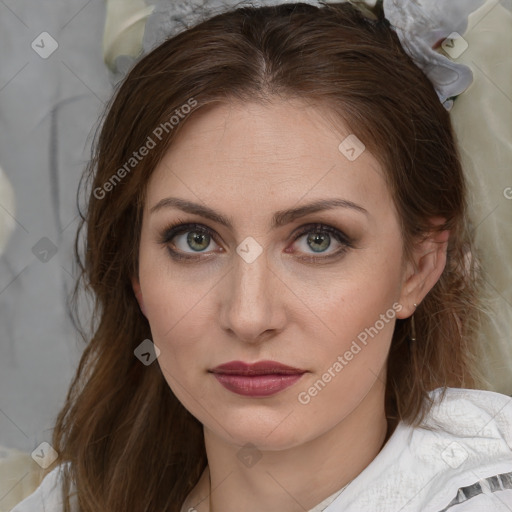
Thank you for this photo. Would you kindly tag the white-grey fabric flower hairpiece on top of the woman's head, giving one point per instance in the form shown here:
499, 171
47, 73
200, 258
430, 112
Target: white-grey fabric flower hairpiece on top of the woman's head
421, 26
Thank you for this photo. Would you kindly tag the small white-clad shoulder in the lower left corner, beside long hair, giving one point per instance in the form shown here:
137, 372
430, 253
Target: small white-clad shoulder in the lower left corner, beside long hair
48, 496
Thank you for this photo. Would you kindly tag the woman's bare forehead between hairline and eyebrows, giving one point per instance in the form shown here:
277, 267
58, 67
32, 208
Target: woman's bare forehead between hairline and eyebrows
283, 152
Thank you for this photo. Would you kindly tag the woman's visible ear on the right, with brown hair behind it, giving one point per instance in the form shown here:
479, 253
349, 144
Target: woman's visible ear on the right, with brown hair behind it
425, 269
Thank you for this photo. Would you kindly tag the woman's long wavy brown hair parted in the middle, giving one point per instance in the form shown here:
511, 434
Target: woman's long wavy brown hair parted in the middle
130, 443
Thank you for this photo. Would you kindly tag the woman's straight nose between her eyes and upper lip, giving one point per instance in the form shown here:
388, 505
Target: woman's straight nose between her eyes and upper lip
252, 309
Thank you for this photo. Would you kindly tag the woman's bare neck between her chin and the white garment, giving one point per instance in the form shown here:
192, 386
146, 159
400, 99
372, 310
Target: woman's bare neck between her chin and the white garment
298, 478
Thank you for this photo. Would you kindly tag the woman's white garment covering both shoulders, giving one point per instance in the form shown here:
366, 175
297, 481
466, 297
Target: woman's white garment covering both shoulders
451, 463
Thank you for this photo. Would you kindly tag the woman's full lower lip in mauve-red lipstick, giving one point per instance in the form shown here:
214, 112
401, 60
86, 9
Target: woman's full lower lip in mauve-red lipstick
257, 385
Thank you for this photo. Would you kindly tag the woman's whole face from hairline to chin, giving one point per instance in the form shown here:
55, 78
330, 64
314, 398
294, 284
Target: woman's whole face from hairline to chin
318, 292
